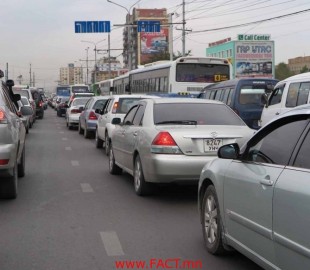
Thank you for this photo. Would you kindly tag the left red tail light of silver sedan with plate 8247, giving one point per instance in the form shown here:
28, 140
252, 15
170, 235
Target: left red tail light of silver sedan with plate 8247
165, 144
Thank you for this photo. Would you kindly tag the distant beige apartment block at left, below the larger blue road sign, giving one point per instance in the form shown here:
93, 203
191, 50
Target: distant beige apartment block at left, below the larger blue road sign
71, 75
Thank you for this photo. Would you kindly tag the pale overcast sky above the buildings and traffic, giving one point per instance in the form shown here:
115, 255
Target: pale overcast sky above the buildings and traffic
41, 32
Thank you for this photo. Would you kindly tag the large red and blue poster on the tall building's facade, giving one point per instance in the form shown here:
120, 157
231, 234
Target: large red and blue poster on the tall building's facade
153, 43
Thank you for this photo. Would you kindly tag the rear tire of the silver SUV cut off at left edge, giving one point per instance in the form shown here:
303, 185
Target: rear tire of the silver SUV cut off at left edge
9, 186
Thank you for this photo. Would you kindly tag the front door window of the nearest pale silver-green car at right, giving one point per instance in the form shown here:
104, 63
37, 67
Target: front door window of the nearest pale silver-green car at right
276, 147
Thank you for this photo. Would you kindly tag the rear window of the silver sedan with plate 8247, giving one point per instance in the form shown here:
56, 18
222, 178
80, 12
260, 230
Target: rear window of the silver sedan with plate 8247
195, 114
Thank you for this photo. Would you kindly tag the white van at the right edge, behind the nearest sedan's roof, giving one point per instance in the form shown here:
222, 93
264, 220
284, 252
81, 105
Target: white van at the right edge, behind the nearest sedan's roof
287, 94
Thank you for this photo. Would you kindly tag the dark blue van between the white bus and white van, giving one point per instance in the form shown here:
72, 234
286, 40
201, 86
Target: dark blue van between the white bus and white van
243, 95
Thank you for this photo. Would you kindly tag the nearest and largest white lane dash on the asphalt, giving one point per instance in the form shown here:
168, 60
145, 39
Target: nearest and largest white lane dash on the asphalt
111, 243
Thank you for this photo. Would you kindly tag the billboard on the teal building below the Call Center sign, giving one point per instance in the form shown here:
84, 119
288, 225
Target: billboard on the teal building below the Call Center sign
254, 59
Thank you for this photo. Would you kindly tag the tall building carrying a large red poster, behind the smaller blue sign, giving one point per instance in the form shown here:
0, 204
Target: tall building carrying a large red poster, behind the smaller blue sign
139, 47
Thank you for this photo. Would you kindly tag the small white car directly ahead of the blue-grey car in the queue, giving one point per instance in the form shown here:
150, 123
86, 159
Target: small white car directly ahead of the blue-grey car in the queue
74, 110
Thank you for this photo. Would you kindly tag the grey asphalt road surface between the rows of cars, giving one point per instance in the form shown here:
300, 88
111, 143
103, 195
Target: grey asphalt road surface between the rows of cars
71, 214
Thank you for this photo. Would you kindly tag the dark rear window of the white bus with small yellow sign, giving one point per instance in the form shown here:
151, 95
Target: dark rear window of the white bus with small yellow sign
204, 73
